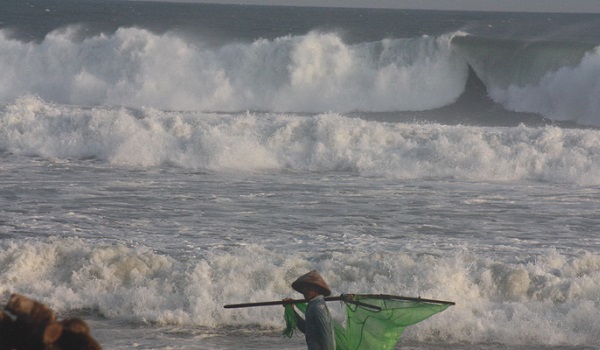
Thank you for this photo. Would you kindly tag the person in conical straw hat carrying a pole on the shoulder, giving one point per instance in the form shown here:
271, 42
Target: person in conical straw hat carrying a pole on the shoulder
316, 325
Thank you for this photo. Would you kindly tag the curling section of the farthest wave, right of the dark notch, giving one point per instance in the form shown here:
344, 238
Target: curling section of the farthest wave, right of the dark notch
558, 80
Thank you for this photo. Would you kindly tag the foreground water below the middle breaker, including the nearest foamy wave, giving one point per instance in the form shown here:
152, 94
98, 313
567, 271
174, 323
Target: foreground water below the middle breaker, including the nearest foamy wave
167, 249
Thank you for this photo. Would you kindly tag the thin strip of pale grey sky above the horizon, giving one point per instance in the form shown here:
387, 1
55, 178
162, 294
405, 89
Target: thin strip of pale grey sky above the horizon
471, 5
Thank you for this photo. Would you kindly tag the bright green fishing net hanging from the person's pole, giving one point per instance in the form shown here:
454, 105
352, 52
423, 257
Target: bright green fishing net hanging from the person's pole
375, 322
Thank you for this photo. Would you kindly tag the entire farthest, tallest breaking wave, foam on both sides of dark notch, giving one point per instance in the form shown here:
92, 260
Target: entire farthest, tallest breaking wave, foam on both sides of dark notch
308, 73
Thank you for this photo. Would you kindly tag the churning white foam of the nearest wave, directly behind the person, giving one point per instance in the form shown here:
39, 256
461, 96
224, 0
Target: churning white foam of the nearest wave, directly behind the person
497, 301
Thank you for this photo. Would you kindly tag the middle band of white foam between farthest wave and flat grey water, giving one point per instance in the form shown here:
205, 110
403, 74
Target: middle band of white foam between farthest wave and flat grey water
281, 142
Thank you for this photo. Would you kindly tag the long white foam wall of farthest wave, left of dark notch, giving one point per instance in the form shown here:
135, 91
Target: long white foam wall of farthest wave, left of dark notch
311, 73
